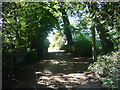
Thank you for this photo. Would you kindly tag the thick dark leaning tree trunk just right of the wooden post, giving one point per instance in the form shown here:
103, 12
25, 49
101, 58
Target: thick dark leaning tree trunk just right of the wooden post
107, 44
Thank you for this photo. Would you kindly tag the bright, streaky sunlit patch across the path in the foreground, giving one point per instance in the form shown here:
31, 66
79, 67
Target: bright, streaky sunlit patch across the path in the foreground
63, 80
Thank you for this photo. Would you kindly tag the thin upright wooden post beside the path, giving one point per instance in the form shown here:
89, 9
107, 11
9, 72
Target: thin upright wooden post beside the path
93, 44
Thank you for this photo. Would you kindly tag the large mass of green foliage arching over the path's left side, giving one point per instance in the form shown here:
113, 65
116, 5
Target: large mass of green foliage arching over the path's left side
25, 28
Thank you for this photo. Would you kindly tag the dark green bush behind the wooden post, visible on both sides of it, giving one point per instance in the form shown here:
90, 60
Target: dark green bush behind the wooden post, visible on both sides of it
82, 46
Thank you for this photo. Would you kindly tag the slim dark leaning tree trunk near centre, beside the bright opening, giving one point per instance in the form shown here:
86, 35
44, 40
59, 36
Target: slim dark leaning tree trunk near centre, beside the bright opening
66, 24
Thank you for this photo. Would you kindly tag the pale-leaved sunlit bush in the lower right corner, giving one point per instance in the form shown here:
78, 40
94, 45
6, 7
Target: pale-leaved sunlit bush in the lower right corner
105, 69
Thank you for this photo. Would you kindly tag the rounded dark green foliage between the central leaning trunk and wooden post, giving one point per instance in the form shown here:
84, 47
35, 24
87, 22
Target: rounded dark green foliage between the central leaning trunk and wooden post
82, 46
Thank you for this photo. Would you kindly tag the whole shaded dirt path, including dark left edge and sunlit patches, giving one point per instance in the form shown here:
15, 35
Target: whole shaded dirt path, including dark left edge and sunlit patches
59, 70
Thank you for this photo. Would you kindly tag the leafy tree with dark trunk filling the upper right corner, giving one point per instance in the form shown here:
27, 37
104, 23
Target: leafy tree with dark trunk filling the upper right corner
105, 18
